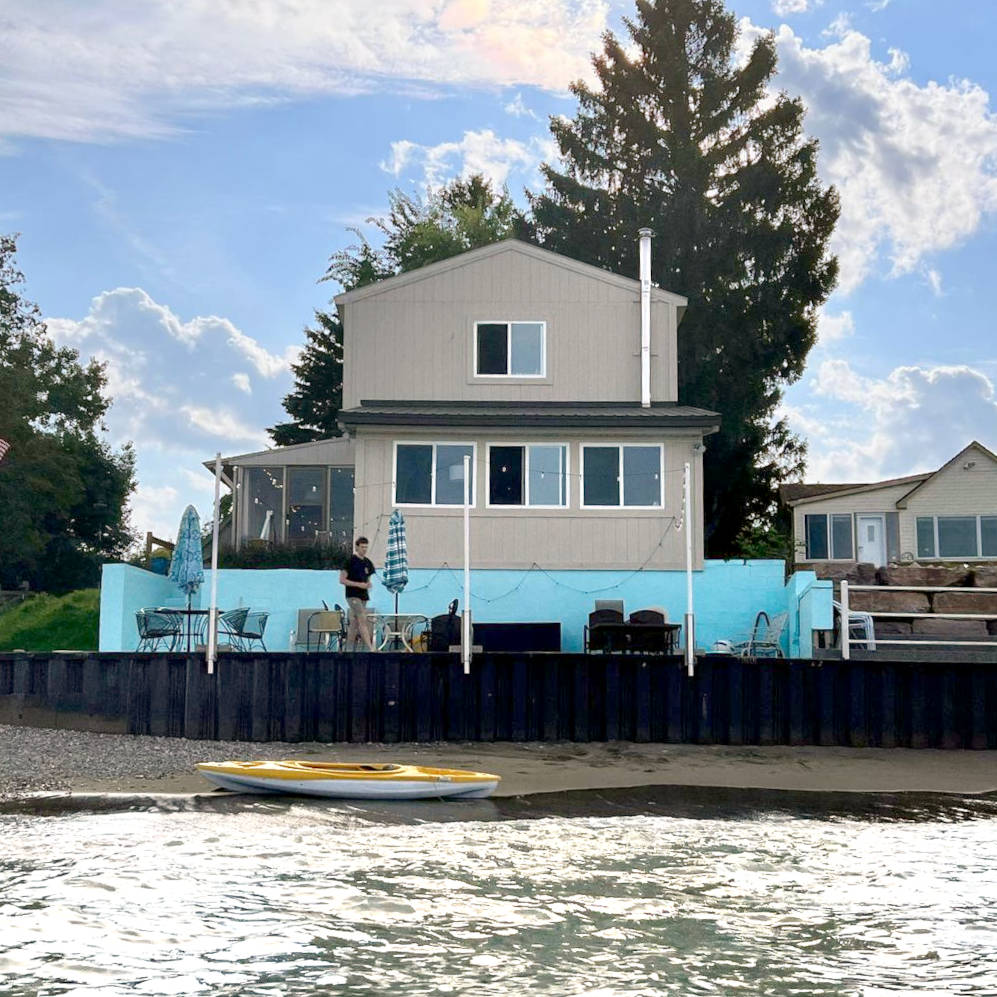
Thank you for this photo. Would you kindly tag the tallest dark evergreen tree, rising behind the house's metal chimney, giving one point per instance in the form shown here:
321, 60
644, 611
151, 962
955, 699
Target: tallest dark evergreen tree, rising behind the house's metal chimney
681, 137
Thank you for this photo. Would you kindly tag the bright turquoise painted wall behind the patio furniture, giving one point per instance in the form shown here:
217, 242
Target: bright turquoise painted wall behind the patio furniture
727, 597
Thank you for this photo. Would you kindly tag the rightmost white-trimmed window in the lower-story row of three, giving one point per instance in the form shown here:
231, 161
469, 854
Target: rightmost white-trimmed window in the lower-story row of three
622, 475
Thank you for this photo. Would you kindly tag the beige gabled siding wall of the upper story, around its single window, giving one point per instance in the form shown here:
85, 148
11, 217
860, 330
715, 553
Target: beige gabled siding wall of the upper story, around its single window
416, 341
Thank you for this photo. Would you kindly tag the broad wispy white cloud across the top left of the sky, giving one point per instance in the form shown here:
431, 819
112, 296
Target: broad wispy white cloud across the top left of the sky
116, 69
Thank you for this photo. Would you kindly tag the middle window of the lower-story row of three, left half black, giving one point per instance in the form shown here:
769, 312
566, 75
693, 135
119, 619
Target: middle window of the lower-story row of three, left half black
528, 474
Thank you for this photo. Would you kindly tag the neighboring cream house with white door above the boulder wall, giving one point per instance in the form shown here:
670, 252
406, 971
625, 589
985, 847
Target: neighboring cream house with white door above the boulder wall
948, 514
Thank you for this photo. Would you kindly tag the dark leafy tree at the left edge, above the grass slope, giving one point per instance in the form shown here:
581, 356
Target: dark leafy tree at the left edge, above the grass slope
63, 491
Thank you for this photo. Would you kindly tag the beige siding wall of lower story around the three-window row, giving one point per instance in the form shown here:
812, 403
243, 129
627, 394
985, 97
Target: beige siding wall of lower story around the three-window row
517, 537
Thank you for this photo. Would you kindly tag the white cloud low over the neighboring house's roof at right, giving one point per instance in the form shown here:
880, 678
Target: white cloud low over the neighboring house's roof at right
912, 420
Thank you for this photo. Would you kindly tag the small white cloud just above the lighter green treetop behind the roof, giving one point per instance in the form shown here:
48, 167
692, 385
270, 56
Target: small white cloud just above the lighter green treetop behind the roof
477, 152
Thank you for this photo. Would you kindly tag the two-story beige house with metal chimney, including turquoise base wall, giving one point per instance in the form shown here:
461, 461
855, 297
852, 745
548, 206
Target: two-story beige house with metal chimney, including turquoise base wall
558, 380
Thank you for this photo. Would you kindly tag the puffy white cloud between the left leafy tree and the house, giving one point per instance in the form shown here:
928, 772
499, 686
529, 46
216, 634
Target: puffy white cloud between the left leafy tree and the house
181, 391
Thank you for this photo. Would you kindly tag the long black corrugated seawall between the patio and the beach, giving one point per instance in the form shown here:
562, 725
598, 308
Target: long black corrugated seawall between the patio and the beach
516, 697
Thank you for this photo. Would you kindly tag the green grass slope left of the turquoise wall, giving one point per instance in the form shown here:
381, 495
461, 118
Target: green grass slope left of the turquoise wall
50, 623
